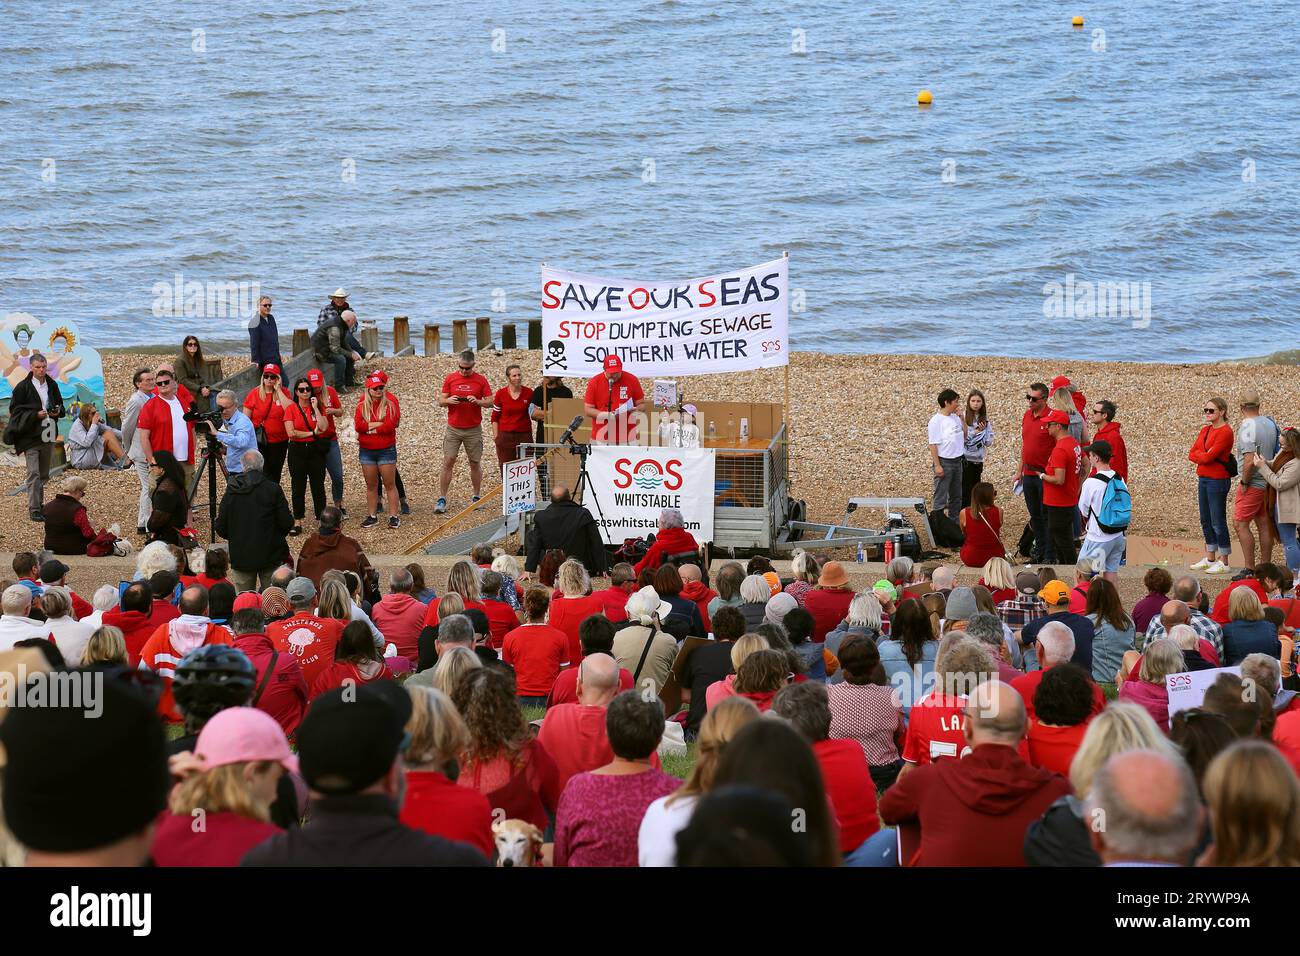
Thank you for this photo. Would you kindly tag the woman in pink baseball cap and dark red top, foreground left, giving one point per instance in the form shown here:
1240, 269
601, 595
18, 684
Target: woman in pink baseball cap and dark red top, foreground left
229, 782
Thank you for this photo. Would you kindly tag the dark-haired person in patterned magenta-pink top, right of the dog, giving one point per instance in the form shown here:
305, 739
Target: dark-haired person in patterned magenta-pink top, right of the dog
600, 812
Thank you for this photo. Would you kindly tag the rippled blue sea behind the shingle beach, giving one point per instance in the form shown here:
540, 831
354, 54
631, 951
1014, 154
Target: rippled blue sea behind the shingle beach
430, 155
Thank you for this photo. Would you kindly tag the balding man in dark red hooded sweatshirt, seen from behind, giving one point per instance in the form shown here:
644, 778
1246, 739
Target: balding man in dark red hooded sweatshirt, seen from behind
974, 812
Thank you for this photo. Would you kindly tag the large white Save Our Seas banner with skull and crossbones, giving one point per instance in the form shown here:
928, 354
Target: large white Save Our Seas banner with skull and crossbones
727, 323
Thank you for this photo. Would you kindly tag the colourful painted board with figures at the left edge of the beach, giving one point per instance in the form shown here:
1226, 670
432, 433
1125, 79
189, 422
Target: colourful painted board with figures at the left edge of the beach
75, 366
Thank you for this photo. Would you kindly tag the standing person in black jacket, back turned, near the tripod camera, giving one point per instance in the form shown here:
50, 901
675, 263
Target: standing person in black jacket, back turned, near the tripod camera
254, 518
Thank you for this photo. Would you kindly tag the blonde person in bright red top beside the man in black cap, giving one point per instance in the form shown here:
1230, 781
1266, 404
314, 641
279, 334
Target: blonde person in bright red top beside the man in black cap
434, 802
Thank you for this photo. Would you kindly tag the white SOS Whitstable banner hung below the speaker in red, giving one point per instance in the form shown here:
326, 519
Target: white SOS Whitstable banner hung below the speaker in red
632, 485
